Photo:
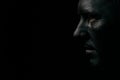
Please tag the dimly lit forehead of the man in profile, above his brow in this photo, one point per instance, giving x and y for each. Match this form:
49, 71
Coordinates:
94, 5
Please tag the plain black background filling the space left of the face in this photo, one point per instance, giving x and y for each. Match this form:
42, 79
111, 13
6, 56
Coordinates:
53, 52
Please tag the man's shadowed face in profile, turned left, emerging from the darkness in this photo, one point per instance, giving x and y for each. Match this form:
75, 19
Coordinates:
97, 28
